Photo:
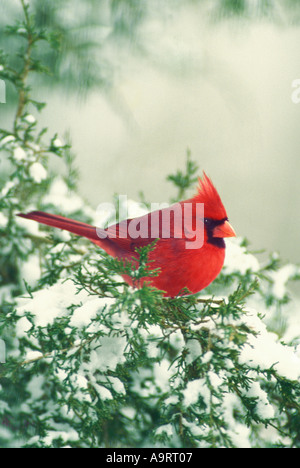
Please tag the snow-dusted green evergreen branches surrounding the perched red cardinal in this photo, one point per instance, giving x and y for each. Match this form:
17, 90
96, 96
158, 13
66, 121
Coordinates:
91, 362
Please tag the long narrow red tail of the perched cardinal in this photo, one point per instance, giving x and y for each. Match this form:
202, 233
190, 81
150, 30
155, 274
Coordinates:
76, 227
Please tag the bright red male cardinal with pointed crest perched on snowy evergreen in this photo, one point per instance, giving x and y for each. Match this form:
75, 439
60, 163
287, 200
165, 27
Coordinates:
189, 249
